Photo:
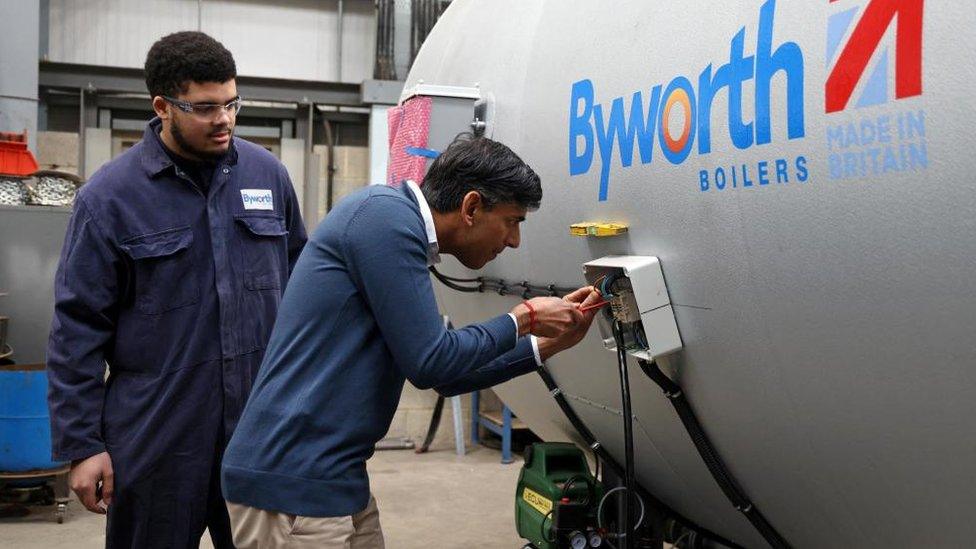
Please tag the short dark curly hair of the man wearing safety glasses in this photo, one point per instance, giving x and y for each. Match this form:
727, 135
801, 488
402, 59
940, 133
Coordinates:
183, 57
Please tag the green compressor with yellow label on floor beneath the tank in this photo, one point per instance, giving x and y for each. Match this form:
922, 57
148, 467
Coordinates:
556, 503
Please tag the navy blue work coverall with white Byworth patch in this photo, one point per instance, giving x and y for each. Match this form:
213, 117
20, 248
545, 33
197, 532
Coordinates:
175, 288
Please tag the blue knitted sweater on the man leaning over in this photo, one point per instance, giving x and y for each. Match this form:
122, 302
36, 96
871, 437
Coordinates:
357, 319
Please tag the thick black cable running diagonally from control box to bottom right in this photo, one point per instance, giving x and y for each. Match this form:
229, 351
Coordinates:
709, 455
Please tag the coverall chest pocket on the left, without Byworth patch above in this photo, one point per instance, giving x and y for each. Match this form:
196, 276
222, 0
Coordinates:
164, 278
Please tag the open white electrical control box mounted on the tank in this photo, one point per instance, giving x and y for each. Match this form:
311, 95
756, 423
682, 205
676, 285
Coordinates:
639, 301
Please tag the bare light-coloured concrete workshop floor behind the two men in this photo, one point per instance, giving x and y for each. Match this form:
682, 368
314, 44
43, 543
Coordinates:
430, 500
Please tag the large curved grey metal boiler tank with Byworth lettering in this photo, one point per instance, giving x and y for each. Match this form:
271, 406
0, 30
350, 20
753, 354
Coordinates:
810, 195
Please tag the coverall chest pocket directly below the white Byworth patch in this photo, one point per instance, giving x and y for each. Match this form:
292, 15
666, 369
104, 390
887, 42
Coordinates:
264, 250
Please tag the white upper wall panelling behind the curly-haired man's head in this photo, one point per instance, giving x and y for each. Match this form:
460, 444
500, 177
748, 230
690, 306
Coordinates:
286, 39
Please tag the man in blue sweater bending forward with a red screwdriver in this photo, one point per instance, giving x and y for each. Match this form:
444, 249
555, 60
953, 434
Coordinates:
358, 318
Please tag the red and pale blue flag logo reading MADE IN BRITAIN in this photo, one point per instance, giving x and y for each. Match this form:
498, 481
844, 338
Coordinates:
888, 137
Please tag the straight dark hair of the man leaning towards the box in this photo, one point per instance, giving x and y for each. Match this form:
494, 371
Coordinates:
483, 165
